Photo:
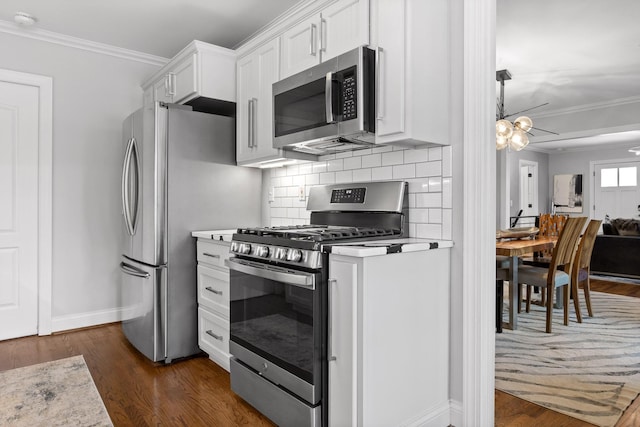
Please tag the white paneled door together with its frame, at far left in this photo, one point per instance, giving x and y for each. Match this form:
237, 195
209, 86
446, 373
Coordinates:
25, 204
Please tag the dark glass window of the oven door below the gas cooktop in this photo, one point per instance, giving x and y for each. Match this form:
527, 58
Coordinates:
279, 322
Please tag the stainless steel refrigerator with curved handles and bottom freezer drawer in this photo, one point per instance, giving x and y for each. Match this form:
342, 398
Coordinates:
179, 175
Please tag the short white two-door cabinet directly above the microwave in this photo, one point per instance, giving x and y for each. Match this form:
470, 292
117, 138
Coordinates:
338, 28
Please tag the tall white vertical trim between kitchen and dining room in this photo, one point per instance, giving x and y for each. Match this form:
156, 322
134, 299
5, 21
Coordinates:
479, 214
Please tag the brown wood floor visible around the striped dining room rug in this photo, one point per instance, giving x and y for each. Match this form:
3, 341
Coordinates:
514, 412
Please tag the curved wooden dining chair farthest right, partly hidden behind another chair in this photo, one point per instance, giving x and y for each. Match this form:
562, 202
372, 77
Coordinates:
581, 267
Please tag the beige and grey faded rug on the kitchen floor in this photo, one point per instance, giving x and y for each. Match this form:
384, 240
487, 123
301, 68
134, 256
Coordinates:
58, 393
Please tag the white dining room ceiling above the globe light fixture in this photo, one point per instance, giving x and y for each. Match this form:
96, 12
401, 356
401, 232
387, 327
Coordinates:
569, 53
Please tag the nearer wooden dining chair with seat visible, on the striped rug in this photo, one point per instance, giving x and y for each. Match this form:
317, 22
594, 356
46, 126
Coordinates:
552, 277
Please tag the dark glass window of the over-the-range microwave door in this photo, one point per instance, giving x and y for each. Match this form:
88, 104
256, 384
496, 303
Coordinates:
300, 109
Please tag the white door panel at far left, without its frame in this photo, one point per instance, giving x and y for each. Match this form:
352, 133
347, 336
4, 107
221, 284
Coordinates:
18, 210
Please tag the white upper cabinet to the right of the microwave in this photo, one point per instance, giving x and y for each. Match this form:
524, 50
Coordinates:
414, 67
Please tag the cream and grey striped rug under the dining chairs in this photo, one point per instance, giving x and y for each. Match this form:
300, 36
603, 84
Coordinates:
590, 371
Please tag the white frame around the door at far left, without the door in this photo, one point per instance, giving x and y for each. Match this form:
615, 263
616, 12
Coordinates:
44, 85
